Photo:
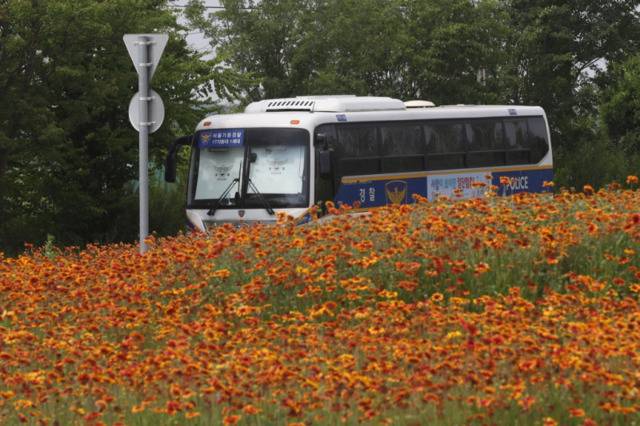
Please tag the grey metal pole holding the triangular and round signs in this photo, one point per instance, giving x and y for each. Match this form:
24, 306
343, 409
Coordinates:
143, 142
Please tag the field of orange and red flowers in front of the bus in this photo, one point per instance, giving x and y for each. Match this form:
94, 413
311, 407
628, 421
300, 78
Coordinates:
502, 310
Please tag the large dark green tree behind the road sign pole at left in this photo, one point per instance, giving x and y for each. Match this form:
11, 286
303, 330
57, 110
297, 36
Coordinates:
67, 150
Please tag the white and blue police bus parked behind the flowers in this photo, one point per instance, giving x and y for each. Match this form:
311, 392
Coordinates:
287, 155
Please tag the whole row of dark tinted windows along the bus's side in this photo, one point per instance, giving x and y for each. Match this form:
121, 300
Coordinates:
396, 147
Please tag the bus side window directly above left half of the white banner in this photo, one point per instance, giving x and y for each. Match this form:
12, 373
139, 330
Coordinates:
445, 145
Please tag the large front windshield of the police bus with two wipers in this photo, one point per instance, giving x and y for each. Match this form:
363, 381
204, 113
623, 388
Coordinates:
241, 168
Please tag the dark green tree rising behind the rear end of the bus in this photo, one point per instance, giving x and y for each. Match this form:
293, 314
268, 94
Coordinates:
557, 48
